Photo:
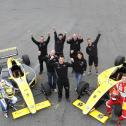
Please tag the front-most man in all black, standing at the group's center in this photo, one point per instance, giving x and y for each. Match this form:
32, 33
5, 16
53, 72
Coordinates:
62, 77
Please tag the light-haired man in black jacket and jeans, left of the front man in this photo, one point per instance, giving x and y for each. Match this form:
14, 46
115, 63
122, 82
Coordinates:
52, 79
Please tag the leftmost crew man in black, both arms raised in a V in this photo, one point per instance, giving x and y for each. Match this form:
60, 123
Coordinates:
42, 47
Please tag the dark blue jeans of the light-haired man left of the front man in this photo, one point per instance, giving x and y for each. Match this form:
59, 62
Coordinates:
52, 79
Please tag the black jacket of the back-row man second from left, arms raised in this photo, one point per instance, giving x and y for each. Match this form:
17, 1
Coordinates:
59, 44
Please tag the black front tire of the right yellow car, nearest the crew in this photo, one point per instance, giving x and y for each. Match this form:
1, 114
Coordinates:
83, 86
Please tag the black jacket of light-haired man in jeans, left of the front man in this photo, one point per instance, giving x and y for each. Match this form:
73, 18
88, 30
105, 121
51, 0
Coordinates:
49, 65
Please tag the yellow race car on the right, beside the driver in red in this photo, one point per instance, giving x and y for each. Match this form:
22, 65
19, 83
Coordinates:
106, 80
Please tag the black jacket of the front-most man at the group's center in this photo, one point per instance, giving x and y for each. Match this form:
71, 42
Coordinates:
62, 70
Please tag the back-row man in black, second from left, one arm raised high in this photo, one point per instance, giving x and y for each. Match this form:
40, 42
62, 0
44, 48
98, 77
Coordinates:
59, 42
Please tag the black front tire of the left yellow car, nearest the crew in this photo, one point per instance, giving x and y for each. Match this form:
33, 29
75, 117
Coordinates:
45, 88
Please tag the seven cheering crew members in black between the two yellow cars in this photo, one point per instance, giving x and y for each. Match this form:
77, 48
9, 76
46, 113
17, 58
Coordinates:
57, 68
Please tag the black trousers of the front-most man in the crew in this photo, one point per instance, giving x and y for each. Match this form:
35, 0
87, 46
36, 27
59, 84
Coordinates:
61, 83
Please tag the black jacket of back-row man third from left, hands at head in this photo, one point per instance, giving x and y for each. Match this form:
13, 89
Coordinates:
75, 45
